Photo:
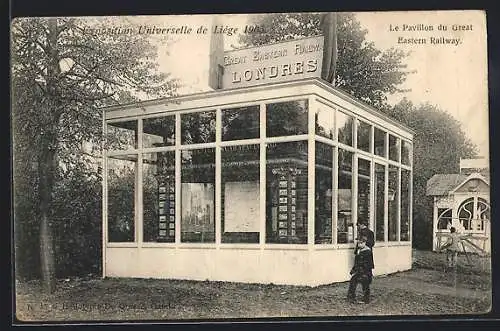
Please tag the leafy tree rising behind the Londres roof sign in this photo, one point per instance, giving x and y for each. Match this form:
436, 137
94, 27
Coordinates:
362, 70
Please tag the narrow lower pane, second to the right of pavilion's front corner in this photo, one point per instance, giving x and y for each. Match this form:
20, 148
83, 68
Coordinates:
345, 226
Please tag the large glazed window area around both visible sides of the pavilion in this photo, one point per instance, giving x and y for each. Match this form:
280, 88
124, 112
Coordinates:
231, 165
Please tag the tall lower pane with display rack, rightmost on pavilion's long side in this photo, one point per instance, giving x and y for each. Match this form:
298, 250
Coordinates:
286, 192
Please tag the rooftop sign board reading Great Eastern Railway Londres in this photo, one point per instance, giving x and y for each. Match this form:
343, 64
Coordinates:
284, 61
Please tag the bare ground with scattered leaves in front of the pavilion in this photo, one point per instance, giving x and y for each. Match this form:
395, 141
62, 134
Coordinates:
427, 289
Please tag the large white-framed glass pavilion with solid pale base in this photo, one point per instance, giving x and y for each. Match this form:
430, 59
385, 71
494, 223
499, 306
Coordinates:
258, 184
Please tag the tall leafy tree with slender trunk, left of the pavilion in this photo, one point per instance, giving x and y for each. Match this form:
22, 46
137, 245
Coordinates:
62, 73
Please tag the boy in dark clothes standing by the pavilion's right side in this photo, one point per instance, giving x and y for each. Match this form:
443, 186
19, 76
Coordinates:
361, 272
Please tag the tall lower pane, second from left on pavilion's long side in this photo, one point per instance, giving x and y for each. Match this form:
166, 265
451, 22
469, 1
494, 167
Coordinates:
159, 197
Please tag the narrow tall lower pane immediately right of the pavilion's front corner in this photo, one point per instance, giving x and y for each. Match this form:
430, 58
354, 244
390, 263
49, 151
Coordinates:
323, 200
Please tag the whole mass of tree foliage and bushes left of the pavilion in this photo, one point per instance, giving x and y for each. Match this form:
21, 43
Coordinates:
63, 72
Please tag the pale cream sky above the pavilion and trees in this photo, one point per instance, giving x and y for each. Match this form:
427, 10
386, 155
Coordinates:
452, 77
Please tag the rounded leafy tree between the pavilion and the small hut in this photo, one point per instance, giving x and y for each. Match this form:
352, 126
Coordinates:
439, 143
